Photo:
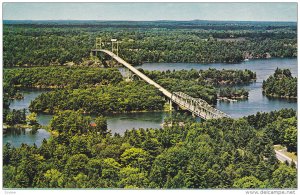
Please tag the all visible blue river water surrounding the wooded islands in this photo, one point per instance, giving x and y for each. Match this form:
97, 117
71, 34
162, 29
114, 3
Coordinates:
118, 123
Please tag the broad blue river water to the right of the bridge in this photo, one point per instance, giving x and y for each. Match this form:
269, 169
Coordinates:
256, 102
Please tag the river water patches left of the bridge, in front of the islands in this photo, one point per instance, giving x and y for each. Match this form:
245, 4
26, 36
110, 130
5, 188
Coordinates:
117, 123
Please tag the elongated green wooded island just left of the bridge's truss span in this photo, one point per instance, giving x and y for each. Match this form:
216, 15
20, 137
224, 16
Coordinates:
122, 97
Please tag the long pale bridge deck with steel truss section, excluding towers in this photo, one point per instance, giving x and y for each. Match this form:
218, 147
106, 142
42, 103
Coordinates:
197, 106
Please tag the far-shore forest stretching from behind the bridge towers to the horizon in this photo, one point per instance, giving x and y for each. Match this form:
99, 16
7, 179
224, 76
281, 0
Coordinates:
43, 43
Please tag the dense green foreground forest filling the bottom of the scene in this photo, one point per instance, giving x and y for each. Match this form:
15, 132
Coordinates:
221, 153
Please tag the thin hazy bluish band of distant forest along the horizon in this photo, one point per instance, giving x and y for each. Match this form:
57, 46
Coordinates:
196, 24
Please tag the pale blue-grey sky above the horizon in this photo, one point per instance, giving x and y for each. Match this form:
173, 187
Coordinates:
151, 11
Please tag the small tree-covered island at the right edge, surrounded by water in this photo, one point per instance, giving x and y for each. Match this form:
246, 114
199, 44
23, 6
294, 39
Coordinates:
281, 84
